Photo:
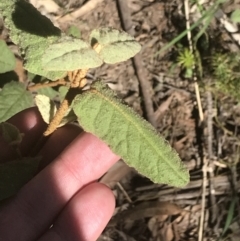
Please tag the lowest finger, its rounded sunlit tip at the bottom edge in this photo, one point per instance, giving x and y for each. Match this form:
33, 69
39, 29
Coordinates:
85, 216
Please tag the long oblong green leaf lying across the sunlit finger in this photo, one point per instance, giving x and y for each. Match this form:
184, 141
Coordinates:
129, 136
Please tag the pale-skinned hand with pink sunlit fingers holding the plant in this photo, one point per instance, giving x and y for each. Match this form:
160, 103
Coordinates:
65, 192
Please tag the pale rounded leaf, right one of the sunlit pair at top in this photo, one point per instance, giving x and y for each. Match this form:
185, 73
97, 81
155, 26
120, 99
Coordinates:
115, 46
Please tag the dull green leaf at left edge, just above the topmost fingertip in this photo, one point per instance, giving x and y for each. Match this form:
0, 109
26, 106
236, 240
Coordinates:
14, 98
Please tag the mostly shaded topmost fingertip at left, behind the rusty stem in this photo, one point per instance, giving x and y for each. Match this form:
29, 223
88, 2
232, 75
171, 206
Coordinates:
31, 124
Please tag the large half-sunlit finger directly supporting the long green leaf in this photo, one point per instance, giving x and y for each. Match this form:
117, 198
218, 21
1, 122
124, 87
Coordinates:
37, 204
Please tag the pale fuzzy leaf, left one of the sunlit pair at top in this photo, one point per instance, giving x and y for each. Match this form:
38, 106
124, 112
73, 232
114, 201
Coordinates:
70, 54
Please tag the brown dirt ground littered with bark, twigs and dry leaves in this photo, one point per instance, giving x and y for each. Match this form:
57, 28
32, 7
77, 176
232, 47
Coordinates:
202, 124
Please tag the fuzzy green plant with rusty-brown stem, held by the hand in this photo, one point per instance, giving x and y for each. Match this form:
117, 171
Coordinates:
64, 61
